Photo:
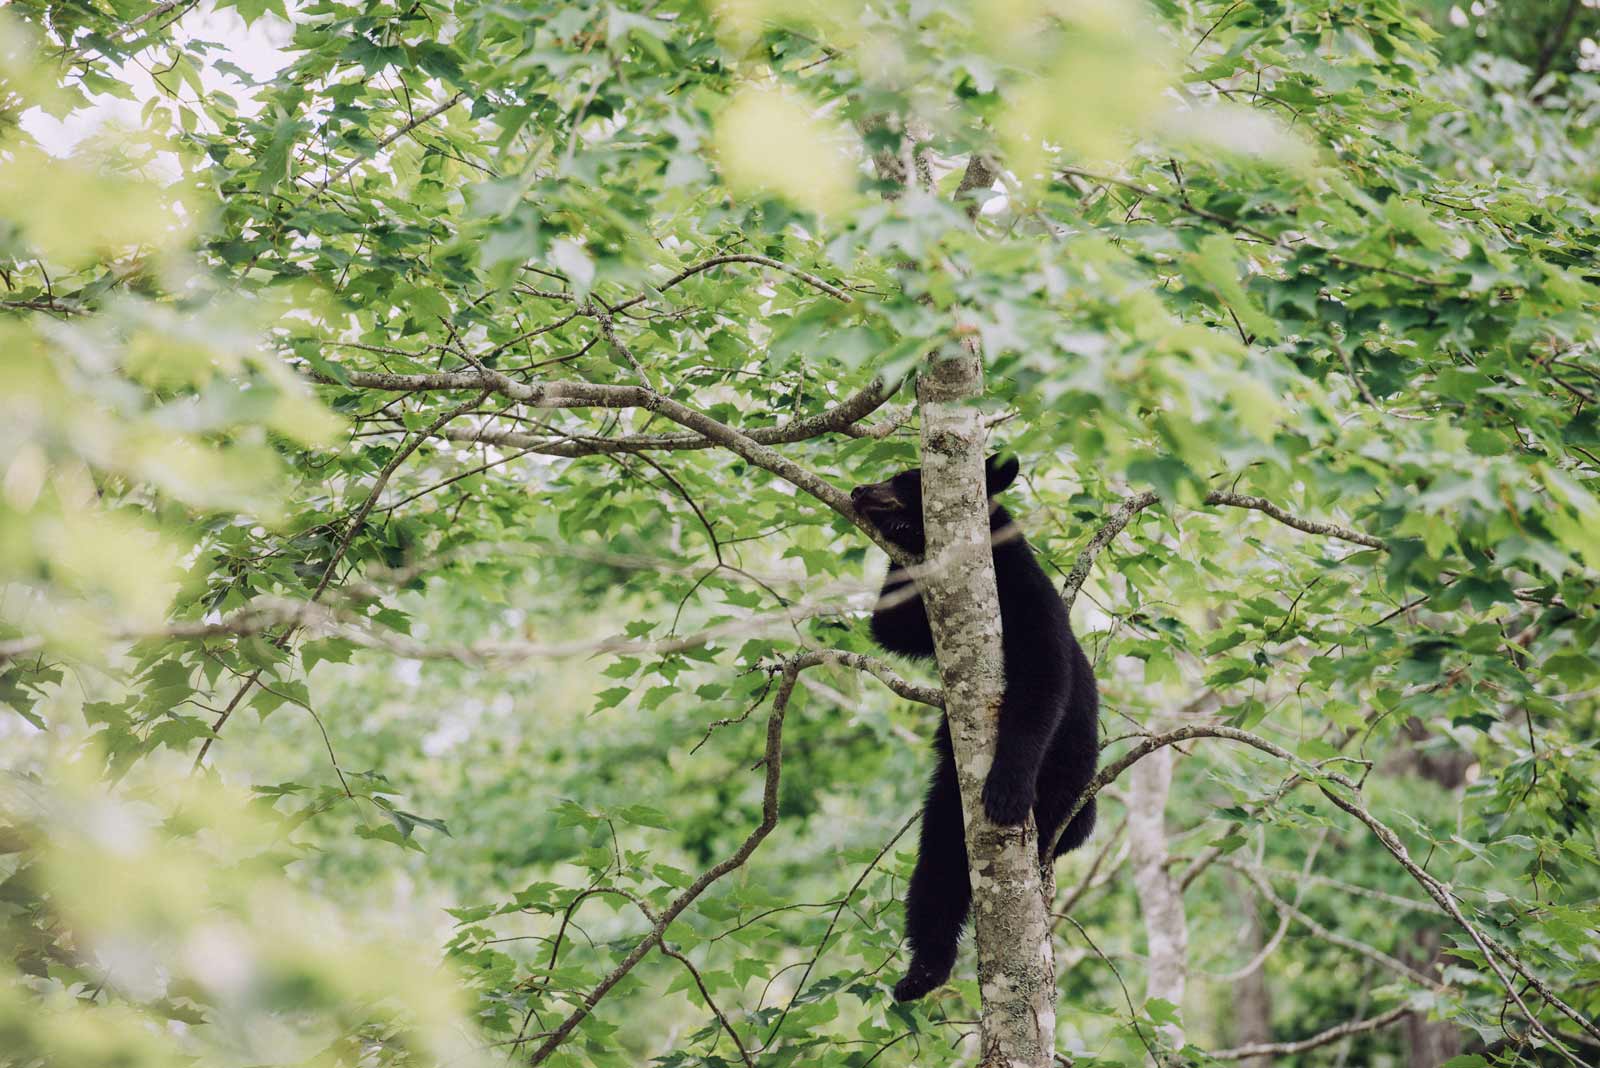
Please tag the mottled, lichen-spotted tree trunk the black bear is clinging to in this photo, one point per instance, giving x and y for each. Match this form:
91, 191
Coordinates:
1017, 970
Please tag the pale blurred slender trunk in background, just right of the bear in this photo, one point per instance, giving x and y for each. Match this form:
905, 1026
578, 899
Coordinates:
1161, 898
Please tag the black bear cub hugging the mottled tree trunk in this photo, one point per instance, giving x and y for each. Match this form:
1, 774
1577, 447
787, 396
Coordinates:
1049, 719
